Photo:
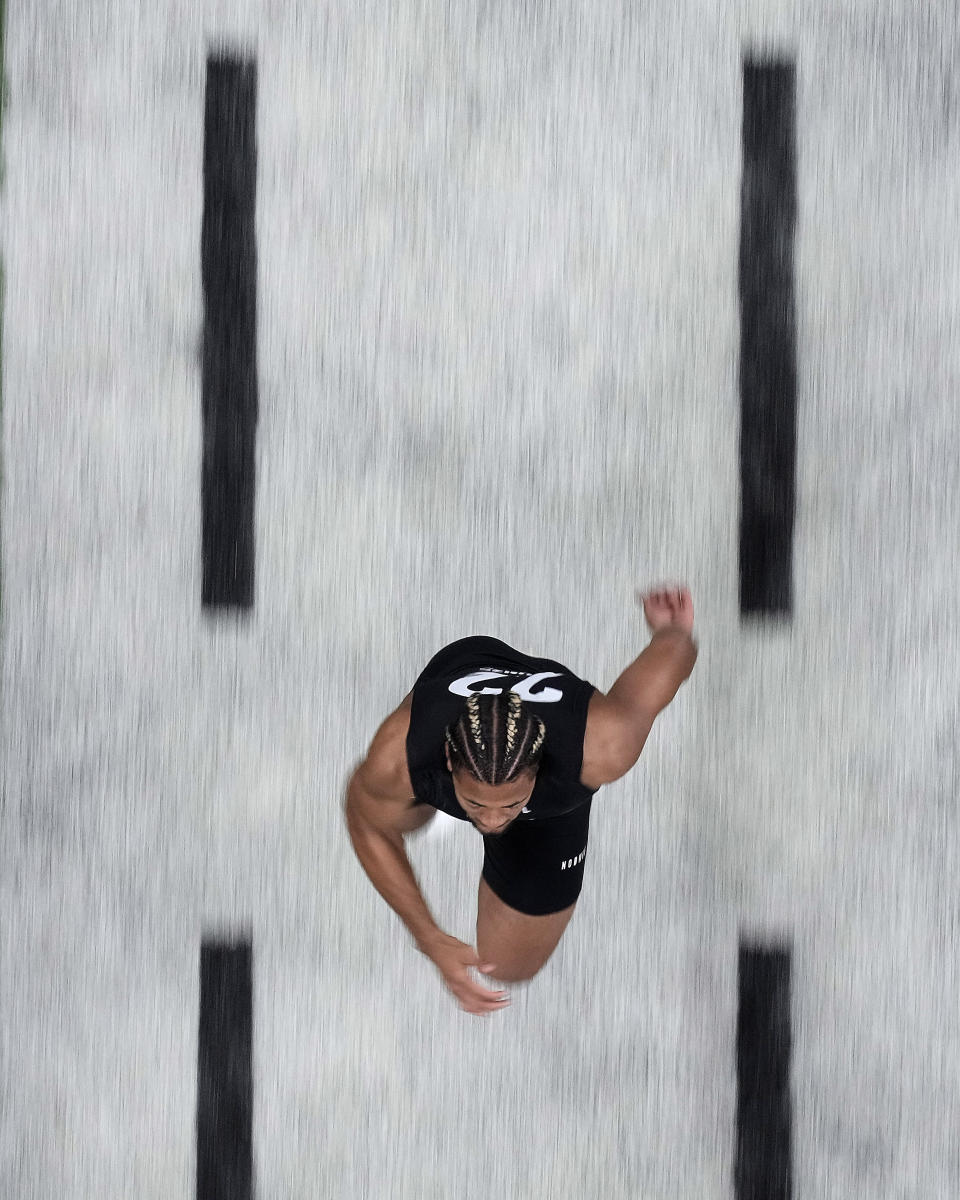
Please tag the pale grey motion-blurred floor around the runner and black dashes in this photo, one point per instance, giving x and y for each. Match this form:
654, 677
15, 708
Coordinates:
499, 392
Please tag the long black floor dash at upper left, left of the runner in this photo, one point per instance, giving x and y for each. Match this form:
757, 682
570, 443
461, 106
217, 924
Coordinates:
229, 253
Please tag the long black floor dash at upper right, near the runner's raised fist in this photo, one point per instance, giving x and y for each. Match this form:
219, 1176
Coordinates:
769, 339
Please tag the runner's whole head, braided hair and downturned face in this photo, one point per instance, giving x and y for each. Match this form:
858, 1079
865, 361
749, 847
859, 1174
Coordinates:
494, 754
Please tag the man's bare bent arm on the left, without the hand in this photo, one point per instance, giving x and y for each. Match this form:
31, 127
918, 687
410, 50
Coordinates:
377, 818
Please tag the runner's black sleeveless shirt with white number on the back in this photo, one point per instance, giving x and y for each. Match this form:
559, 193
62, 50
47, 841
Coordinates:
487, 665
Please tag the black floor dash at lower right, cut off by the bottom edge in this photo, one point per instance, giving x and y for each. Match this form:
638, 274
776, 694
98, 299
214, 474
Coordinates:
763, 1167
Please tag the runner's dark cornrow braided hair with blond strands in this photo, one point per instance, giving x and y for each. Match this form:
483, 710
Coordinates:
496, 740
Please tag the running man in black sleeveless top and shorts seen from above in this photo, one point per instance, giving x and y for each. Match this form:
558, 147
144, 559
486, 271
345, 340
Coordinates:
518, 746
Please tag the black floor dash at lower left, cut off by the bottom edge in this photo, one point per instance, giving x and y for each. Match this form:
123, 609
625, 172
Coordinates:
225, 1087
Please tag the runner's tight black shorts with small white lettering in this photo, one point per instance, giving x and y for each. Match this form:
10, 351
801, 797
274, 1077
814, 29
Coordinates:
537, 867
